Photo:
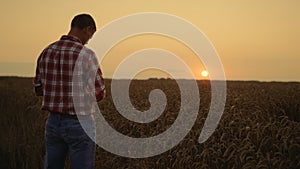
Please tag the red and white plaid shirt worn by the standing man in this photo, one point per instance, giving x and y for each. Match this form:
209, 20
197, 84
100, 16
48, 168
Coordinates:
68, 77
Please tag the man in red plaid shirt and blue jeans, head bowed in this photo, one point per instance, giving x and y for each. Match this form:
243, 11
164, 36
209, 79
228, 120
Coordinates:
54, 81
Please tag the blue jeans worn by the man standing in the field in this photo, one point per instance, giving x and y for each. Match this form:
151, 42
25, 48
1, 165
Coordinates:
64, 134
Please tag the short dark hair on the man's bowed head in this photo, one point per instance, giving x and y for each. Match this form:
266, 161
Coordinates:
82, 21
